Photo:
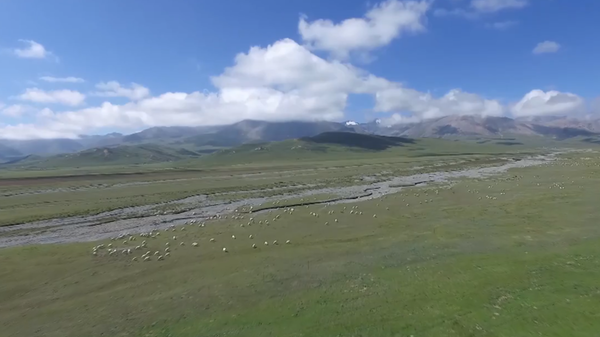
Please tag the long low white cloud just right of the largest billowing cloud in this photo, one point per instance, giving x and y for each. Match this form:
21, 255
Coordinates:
424, 106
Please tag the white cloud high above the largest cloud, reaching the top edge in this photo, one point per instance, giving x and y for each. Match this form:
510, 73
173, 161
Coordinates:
381, 24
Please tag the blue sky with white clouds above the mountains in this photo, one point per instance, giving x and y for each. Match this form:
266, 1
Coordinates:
71, 67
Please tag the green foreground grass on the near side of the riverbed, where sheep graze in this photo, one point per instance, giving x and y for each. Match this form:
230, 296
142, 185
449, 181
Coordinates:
524, 264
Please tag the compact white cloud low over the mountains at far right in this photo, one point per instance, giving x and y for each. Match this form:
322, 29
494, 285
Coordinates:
540, 103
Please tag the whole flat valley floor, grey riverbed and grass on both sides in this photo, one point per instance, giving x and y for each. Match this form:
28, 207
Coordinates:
443, 247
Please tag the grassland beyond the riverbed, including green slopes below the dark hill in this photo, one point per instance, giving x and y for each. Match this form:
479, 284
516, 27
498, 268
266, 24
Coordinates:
33, 195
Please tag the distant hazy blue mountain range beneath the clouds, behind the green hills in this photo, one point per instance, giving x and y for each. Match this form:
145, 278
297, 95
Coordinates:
207, 139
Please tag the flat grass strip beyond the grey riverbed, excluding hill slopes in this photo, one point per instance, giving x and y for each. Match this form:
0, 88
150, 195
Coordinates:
26, 198
